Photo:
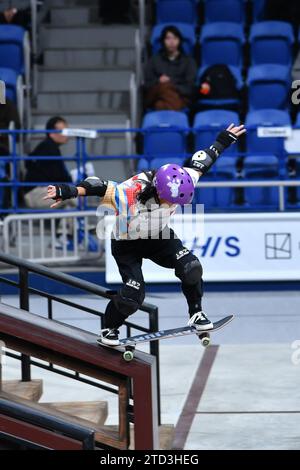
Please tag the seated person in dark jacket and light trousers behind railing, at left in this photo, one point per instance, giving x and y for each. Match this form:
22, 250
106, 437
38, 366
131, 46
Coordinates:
48, 171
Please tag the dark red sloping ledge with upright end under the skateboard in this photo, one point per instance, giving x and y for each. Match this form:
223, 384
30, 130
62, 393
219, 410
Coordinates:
77, 350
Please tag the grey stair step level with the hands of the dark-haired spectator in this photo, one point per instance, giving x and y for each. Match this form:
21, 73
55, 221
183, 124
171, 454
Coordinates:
70, 81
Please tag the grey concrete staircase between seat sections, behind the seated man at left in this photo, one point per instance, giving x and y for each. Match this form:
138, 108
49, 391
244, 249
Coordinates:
85, 76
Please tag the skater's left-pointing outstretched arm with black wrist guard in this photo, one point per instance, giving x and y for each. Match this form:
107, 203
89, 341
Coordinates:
91, 186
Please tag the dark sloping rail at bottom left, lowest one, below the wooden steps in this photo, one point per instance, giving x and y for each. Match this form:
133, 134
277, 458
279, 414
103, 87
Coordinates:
41, 419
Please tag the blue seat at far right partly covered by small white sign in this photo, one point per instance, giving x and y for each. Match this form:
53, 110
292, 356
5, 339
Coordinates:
266, 118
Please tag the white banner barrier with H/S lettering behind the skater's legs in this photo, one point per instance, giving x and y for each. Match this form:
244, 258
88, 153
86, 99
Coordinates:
231, 247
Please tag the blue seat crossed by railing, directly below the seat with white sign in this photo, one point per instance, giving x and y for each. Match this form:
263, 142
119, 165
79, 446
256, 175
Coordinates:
261, 168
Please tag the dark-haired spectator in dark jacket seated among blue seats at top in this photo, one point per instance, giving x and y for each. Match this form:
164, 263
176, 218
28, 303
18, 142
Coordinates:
170, 75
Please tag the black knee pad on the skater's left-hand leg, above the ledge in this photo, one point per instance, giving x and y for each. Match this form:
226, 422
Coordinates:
129, 298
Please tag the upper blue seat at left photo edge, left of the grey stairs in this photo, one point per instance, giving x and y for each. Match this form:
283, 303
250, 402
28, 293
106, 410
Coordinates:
12, 47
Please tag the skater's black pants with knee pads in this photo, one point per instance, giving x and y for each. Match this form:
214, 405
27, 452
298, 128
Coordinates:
169, 253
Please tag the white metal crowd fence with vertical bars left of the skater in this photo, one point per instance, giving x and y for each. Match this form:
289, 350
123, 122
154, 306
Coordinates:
33, 236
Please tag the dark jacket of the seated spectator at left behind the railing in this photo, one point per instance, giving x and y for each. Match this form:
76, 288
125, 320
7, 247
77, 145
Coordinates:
46, 171
